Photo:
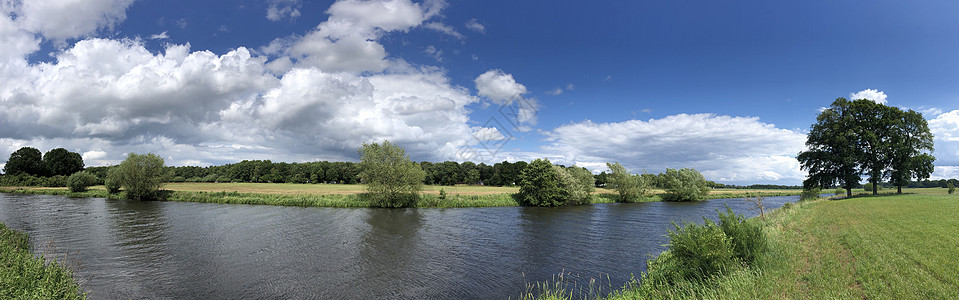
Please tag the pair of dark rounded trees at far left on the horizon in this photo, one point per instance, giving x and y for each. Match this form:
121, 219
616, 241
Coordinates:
56, 162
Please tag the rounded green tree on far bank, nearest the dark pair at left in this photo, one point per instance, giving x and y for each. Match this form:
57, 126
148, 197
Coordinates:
142, 176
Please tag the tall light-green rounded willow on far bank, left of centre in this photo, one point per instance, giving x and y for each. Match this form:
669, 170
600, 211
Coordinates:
392, 179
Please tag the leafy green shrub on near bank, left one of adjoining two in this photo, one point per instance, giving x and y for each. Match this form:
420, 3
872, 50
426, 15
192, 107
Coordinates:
699, 251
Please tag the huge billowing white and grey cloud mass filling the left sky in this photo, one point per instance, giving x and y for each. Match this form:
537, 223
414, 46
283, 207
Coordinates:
316, 96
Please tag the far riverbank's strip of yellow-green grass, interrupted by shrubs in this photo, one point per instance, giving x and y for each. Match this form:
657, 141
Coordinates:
334, 195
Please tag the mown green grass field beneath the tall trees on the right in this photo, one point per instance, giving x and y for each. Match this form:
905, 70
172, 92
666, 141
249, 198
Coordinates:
887, 247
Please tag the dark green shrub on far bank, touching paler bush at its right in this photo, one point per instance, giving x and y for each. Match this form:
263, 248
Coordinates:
542, 185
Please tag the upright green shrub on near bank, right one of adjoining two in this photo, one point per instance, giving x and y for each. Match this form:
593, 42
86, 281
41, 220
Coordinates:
748, 238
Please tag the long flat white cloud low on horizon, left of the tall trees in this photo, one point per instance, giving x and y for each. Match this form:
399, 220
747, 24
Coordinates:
724, 148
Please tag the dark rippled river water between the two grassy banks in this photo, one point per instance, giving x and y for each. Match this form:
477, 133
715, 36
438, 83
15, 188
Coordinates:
179, 250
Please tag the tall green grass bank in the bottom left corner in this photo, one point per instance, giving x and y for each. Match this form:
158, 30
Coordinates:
25, 276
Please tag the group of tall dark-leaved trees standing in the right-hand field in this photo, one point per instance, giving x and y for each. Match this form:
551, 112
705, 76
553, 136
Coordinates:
861, 137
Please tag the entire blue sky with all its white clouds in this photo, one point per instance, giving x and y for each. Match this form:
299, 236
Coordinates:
729, 88
